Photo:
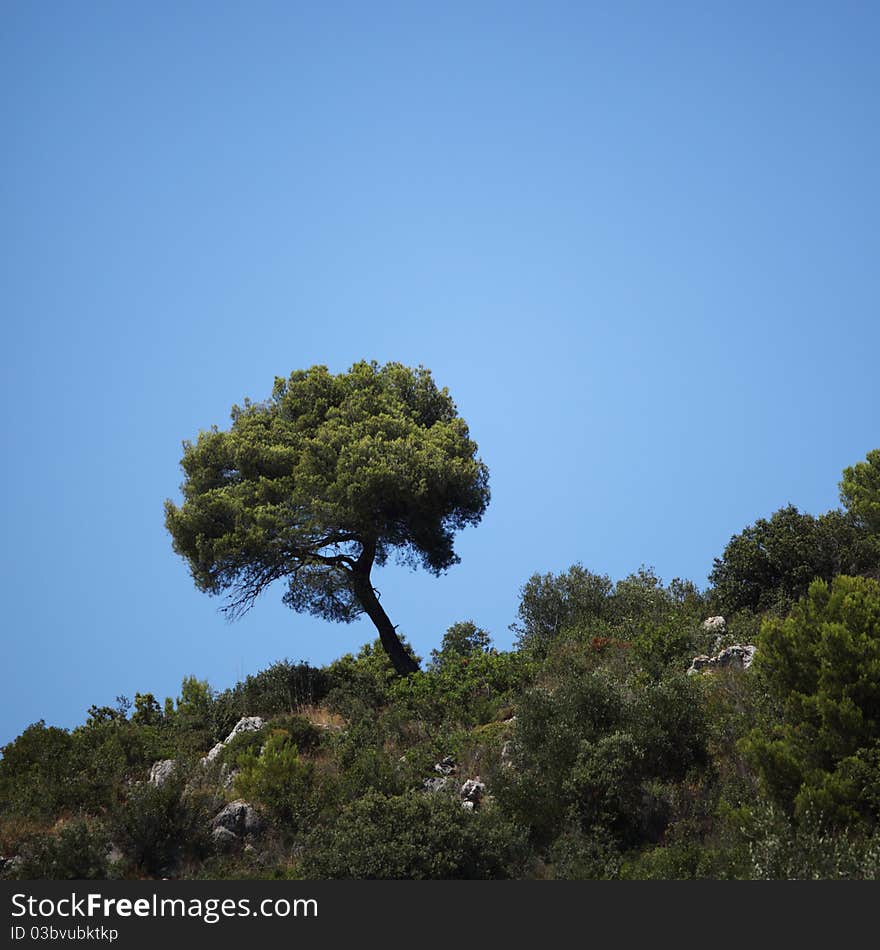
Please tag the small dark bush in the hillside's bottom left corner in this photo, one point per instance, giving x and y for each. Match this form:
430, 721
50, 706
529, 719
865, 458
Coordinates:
78, 852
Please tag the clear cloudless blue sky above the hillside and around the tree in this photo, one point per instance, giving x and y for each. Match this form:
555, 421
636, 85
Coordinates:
637, 241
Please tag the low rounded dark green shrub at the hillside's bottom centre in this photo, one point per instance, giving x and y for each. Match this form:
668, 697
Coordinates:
415, 836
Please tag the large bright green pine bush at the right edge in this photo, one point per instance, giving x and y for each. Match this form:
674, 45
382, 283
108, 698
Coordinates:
822, 664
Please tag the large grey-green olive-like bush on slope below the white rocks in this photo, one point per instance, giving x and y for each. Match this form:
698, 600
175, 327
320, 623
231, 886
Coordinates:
593, 752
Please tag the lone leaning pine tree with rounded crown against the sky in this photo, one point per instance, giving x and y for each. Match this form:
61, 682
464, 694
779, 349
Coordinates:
323, 481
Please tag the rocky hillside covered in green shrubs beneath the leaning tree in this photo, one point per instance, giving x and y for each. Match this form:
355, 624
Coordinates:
587, 751
